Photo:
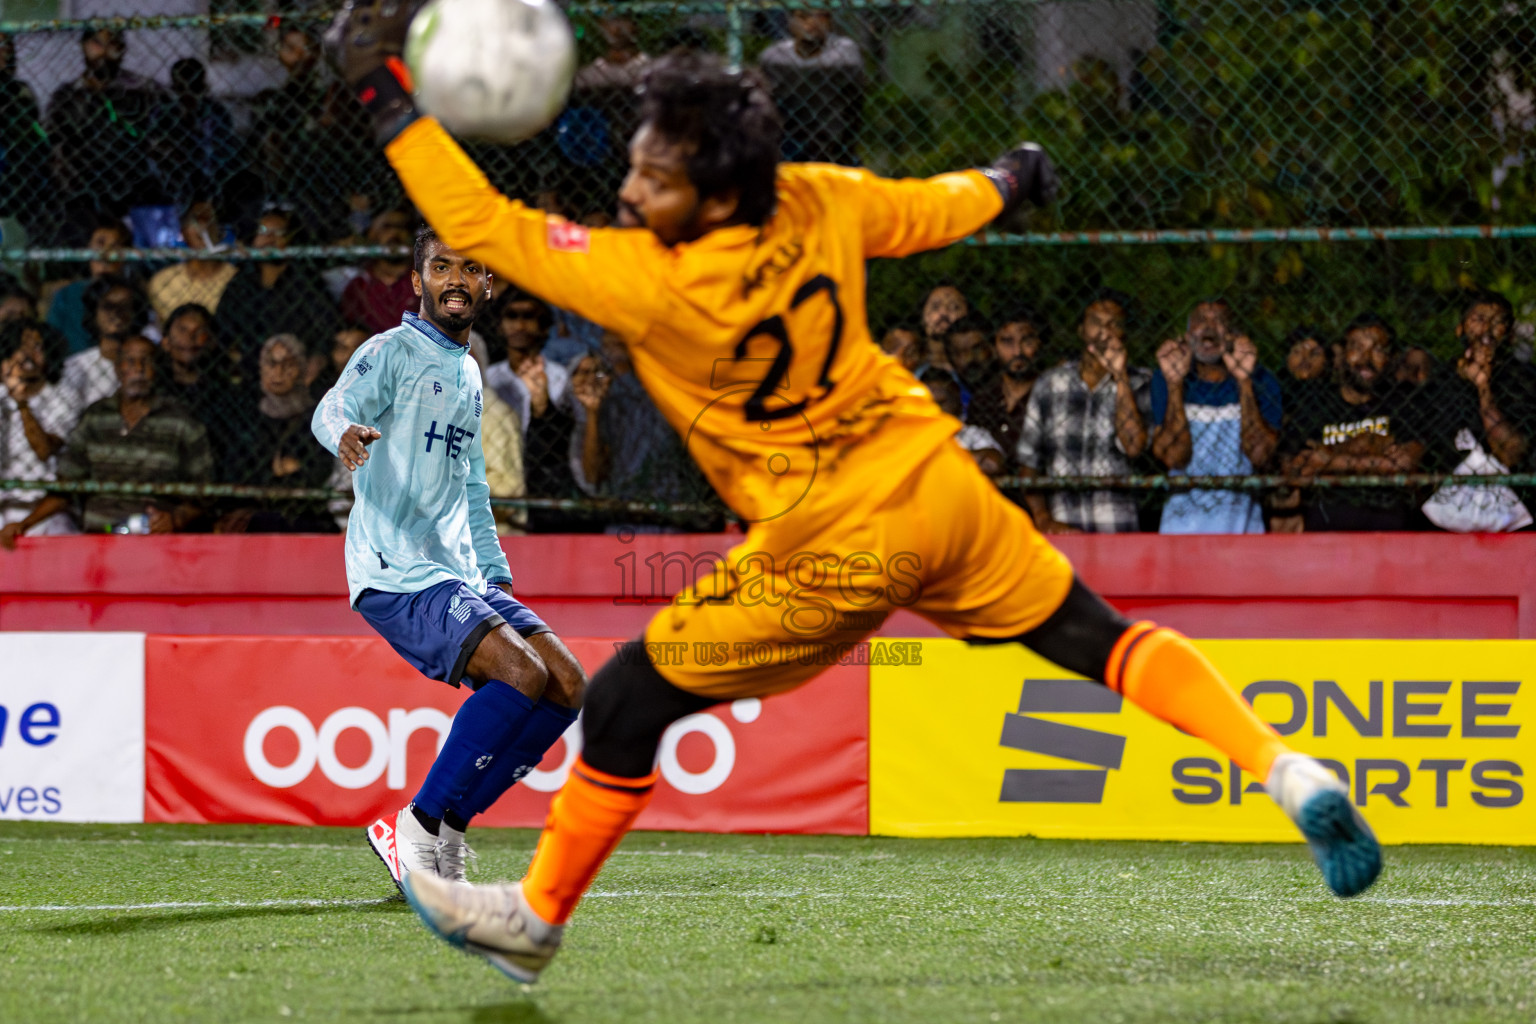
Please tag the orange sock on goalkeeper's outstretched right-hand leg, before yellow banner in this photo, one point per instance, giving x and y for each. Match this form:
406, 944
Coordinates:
1162, 673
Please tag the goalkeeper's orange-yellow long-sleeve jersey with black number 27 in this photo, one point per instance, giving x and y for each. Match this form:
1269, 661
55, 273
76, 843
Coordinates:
752, 340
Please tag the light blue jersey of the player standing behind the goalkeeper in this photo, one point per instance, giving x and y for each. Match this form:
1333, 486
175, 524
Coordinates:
423, 506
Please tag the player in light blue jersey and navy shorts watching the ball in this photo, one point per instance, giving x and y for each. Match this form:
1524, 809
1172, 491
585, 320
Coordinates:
425, 567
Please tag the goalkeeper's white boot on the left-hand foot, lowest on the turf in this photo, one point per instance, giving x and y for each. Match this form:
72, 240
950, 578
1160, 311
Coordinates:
492, 922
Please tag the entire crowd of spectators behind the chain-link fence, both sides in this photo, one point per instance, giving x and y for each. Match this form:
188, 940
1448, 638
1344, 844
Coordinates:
207, 371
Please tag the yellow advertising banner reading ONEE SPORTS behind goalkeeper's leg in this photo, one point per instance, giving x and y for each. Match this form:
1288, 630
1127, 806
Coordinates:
1432, 739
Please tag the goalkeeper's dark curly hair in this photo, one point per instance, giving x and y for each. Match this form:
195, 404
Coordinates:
727, 119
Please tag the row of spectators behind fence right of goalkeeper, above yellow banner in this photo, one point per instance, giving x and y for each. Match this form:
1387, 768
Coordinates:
1360, 406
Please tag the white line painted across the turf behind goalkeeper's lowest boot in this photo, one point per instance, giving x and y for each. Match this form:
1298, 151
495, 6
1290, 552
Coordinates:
784, 894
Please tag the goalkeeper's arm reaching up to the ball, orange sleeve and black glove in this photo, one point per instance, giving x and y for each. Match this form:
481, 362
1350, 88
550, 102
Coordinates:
607, 277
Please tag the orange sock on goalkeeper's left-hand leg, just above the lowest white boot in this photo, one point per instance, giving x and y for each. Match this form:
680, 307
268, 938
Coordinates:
588, 819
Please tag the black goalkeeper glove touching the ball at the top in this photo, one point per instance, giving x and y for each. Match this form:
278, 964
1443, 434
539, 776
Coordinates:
365, 44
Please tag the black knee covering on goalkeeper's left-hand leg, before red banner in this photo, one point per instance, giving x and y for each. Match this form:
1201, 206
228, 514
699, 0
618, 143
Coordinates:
629, 707
